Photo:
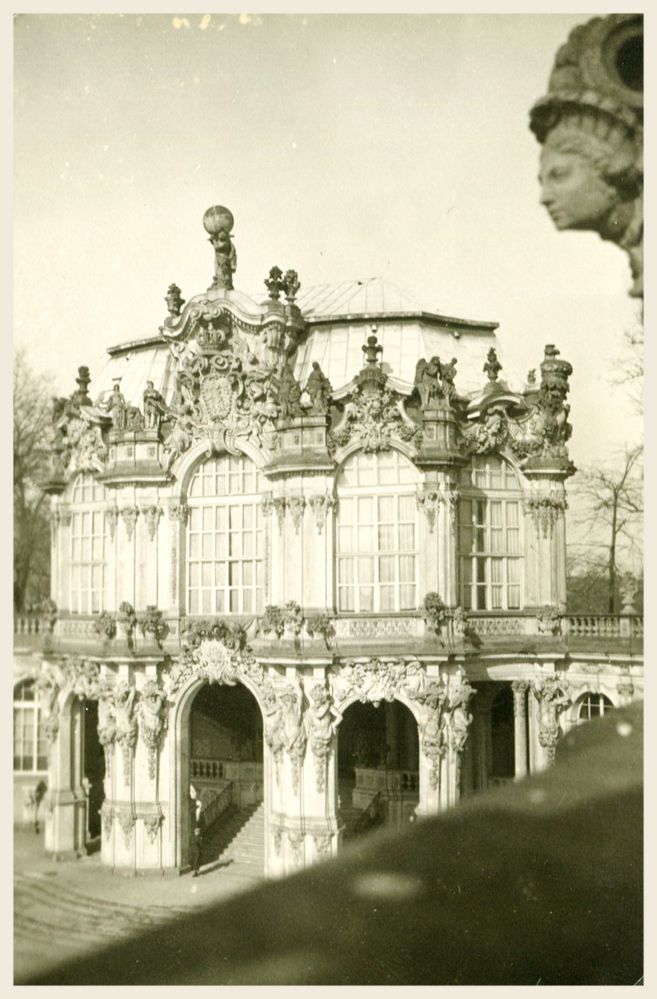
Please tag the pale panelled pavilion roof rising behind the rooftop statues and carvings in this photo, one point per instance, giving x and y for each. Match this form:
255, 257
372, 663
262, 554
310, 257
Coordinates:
339, 317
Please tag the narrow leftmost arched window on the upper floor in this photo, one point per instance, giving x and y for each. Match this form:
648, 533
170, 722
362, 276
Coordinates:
88, 545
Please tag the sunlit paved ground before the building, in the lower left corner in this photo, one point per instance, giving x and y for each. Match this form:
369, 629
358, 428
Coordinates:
66, 909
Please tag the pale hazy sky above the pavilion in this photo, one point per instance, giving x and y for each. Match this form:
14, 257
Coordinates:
346, 146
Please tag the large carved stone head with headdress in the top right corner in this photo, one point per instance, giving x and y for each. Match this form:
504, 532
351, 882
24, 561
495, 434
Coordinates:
590, 125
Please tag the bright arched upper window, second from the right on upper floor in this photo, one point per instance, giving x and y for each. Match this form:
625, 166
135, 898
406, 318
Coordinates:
377, 546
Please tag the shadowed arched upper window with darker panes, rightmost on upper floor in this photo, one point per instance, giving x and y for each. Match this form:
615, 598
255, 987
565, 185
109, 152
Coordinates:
490, 543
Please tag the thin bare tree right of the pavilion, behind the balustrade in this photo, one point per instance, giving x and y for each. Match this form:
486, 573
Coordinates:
611, 501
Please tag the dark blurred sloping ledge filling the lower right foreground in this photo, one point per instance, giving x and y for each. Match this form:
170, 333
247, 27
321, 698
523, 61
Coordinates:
538, 883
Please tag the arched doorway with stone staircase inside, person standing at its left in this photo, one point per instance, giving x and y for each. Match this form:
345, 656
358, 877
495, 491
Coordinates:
225, 767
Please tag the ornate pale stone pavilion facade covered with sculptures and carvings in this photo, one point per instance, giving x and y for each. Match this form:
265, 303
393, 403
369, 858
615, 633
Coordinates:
449, 591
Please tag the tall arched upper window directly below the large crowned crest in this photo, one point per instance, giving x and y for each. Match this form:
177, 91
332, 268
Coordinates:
225, 545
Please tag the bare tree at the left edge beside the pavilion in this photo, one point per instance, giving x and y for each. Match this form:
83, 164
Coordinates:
32, 418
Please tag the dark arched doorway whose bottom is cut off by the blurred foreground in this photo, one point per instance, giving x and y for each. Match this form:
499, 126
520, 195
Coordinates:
378, 767
